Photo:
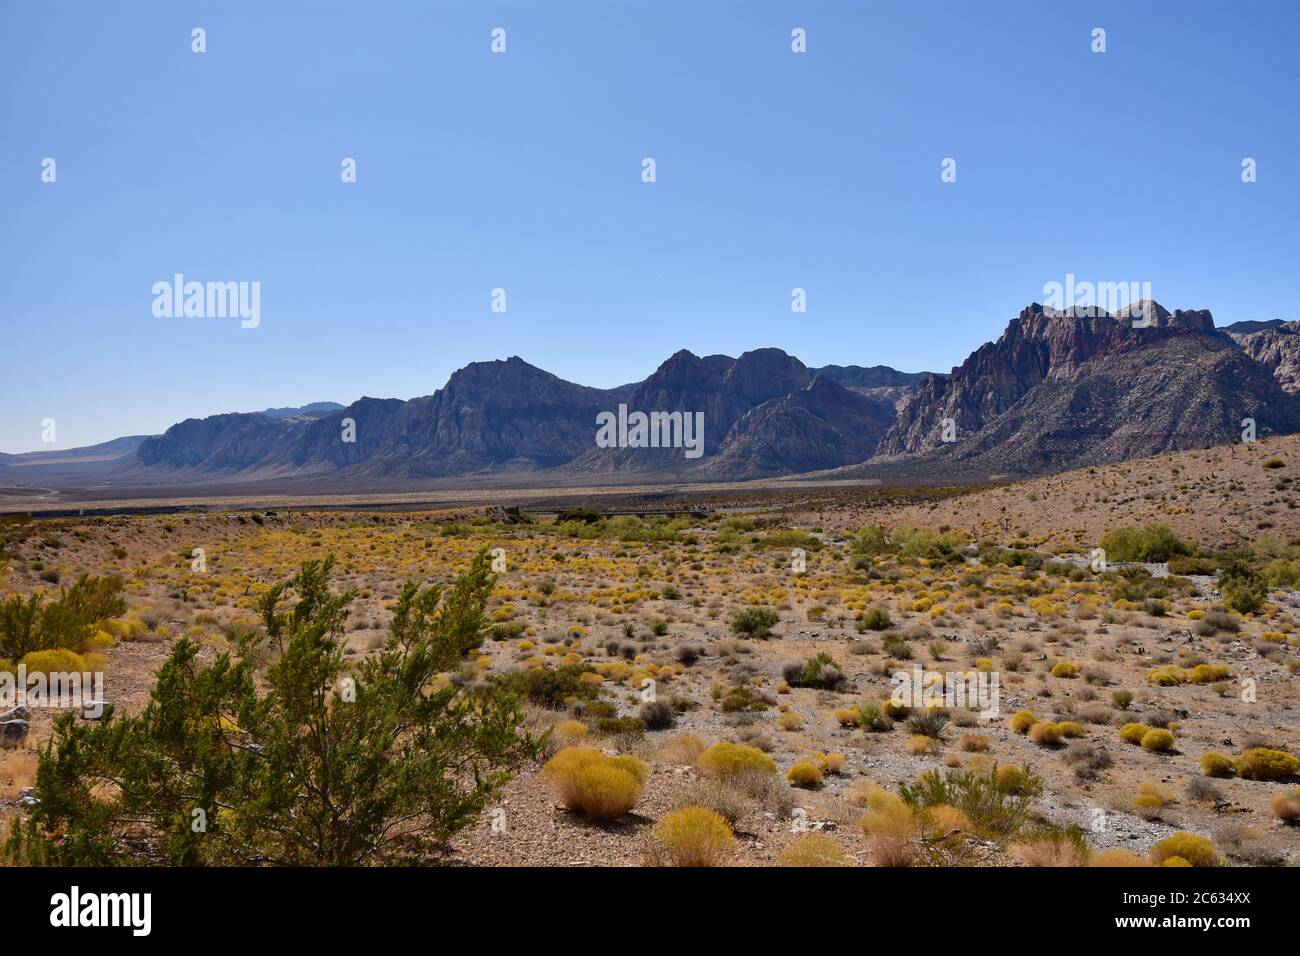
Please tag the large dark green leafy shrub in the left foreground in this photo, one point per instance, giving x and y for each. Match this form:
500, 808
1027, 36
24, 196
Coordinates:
288, 773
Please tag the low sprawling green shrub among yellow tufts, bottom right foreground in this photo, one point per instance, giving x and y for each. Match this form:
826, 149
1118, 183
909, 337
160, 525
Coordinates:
994, 808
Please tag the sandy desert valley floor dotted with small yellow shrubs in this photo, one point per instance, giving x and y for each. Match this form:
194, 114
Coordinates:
996, 581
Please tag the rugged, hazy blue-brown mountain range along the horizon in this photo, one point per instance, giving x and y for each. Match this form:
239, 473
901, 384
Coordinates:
1059, 390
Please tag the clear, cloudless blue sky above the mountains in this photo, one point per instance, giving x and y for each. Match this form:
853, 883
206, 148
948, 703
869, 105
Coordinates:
523, 171
